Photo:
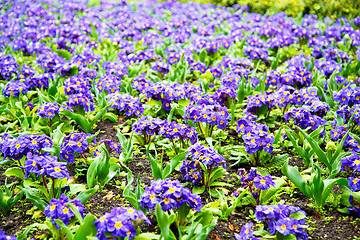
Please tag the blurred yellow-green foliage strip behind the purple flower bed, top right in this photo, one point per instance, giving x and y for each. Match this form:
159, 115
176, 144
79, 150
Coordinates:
322, 8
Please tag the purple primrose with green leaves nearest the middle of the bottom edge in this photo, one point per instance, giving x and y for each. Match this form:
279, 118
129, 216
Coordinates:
173, 203
